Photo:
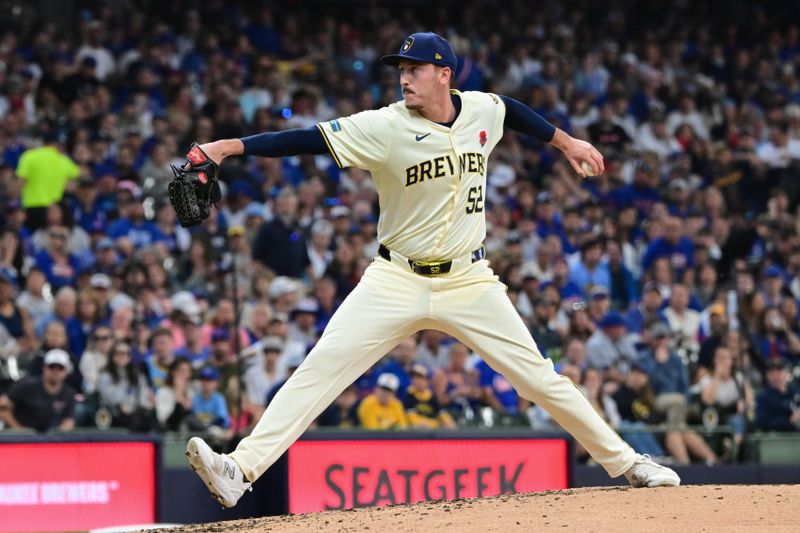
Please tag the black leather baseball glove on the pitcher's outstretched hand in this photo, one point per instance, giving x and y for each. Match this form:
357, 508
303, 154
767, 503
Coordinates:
195, 188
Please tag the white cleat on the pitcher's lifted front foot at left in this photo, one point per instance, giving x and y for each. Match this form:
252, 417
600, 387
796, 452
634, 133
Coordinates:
222, 476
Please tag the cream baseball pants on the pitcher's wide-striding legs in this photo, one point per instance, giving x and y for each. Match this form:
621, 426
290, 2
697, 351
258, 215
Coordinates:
391, 303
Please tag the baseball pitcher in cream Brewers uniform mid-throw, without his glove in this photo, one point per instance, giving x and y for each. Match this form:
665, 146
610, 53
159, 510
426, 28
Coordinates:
428, 156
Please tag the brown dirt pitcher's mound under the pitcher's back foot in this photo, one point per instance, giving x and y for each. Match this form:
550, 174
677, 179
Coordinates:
726, 508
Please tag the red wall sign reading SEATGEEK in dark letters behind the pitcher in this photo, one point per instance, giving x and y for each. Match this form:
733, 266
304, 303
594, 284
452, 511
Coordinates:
345, 474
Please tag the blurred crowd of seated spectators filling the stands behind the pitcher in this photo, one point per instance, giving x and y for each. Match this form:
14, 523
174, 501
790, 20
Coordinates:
667, 287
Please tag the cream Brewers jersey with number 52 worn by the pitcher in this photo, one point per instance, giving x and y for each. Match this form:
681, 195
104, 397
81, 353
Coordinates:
431, 179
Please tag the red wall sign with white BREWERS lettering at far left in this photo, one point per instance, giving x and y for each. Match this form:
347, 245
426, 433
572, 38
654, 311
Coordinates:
76, 486
